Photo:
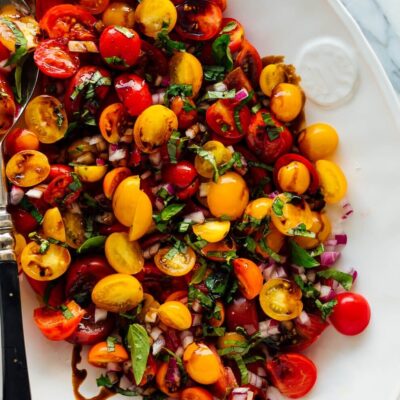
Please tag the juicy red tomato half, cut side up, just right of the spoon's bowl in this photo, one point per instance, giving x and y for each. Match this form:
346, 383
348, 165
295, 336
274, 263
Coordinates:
54, 59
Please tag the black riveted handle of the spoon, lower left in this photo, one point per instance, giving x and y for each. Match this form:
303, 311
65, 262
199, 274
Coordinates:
15, 370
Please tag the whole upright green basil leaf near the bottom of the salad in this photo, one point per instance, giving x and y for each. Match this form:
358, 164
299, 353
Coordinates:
139, 344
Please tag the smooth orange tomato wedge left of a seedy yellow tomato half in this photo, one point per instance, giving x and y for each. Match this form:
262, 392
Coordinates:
249, 276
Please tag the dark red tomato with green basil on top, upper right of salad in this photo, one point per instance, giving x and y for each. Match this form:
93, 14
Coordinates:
268, 138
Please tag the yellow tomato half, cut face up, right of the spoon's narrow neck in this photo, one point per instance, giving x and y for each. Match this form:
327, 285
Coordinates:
45, 116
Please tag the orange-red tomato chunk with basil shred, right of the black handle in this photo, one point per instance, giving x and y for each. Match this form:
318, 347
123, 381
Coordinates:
57, 324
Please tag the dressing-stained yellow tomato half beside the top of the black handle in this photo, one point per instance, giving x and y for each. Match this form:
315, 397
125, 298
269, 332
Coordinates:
47, 264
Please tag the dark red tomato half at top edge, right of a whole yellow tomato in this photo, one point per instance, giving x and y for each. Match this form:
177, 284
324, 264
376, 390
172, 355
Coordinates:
198, 20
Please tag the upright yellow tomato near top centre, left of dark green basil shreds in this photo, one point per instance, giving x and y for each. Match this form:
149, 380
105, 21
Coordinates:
185, 68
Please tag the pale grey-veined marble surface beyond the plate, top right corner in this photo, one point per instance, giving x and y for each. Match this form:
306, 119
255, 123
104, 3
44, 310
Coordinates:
380, 22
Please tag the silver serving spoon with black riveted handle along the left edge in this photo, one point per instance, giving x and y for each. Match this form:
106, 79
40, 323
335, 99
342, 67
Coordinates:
15, 371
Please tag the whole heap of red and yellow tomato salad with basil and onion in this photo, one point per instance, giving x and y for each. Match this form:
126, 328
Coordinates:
170, 204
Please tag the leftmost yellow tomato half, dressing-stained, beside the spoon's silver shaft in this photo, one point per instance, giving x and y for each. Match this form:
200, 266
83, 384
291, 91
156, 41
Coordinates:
28, 168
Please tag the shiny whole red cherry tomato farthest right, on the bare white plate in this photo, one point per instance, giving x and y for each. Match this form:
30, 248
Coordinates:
351, 314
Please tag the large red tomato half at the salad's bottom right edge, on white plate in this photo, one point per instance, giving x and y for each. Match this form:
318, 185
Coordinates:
293, 374
